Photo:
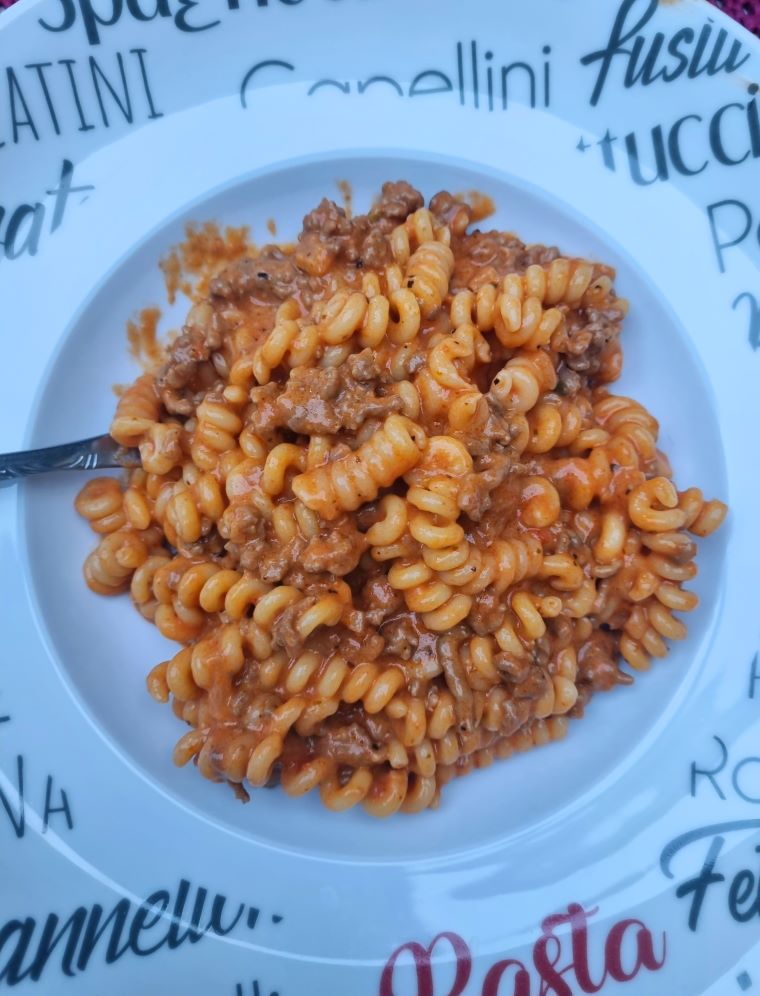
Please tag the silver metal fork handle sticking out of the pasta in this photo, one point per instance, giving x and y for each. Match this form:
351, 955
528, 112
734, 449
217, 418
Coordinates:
88, 454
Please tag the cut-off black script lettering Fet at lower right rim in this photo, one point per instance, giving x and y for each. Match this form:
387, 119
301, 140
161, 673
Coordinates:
743, 893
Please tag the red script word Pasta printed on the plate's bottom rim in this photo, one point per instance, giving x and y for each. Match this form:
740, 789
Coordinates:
561, 963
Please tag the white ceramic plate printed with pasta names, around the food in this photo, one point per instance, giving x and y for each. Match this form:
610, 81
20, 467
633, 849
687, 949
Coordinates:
626, 855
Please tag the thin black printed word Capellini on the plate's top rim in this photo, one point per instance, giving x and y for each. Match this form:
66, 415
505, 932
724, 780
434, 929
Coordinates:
472, 76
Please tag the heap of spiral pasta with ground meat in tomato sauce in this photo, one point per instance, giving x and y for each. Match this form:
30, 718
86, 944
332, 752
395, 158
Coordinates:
390, 511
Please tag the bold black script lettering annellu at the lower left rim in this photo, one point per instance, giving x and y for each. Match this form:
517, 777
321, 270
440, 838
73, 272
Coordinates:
27, 947
